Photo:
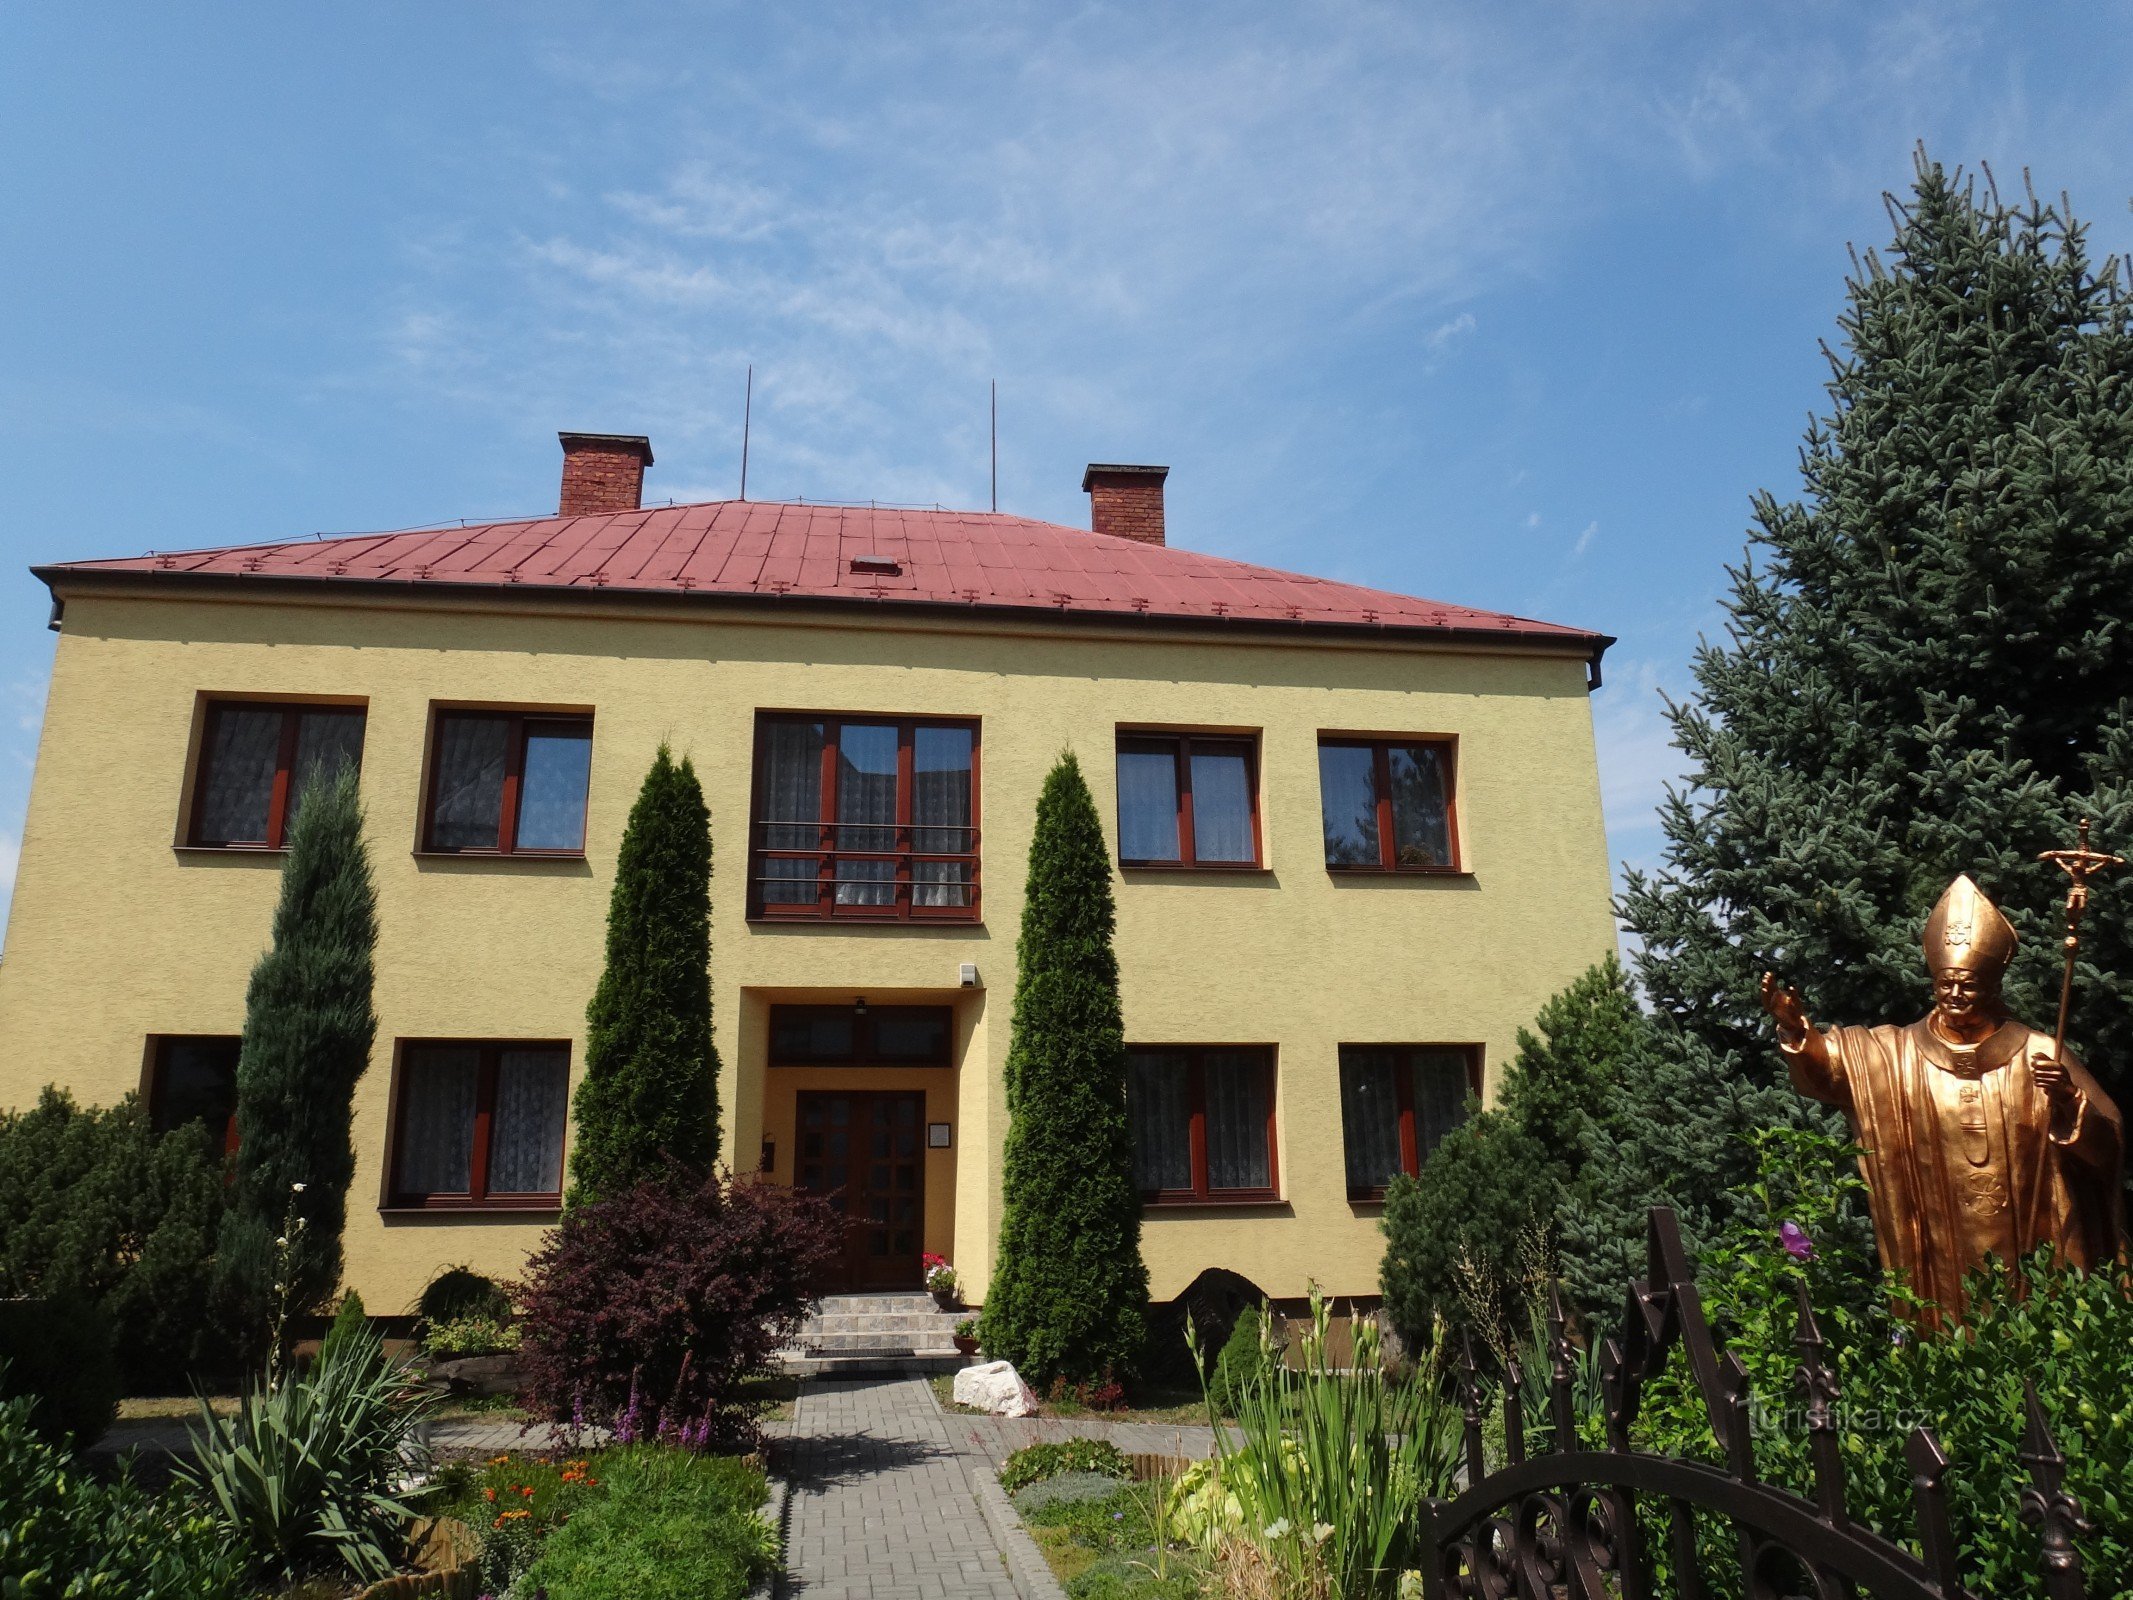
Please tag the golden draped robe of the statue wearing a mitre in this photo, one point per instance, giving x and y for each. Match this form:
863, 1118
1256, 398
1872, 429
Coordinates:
1966, 1155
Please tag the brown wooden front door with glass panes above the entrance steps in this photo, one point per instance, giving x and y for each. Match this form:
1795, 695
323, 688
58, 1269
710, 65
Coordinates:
867, 1155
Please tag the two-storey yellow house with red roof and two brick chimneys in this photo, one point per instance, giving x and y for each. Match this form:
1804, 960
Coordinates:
1358, 846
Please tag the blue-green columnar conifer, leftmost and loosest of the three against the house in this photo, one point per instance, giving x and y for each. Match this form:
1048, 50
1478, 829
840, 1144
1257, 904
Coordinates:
308, 1040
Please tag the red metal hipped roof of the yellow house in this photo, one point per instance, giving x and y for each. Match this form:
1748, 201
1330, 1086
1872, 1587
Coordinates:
767, 549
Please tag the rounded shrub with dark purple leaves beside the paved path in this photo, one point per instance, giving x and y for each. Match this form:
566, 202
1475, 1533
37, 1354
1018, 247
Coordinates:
647, 1311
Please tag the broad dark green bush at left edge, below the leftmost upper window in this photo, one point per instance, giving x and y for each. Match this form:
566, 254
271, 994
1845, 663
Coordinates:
97, 1206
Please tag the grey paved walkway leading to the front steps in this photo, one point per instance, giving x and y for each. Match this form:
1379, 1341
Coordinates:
882, 1499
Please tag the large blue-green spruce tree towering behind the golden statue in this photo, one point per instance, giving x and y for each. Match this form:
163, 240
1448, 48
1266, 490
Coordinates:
1925, 673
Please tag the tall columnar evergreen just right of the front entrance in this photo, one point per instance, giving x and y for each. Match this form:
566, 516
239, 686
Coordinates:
1070, 1290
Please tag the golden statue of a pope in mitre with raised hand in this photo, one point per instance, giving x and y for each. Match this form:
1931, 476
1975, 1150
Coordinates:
1978, 1138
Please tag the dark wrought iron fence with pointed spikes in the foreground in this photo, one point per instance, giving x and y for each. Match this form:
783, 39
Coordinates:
1567, 1522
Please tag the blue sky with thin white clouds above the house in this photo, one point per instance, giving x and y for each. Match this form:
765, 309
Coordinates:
1498, 304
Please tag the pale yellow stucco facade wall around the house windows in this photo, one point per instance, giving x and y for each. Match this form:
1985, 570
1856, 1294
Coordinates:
118, 935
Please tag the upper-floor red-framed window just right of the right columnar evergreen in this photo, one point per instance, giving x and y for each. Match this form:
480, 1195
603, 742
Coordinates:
1187, 801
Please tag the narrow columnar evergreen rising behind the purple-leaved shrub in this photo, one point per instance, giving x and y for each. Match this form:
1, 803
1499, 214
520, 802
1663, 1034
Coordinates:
649, 1100
